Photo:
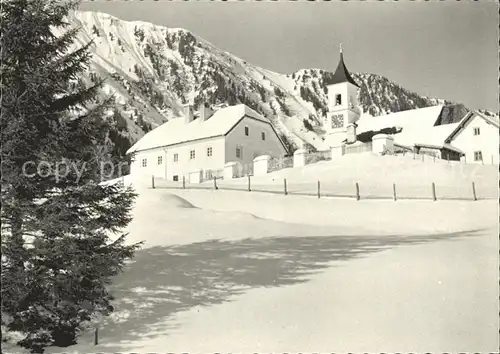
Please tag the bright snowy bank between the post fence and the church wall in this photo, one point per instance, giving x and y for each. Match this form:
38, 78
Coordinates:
375, 176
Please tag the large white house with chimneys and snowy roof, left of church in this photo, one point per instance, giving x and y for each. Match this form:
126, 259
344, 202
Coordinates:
203, 142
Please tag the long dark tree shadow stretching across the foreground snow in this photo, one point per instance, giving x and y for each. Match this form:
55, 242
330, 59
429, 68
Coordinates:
162, 281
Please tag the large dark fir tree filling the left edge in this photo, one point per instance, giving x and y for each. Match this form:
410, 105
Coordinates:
61, 240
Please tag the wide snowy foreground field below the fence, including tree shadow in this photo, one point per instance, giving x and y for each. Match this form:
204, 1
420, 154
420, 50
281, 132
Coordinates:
227, 271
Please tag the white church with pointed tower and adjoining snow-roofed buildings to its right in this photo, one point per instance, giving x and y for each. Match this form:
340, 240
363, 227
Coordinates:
474, 139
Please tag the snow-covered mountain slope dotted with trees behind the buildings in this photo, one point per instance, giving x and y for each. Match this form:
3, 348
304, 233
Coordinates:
152, 71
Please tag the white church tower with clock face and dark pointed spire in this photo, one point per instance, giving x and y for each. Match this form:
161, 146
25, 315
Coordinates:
343, 110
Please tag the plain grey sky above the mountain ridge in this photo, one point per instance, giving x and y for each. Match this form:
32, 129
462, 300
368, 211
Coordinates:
445, 49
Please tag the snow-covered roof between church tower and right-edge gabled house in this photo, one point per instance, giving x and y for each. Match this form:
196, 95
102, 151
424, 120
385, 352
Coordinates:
417, 126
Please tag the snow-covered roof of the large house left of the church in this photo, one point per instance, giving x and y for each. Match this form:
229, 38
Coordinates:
177, 131
